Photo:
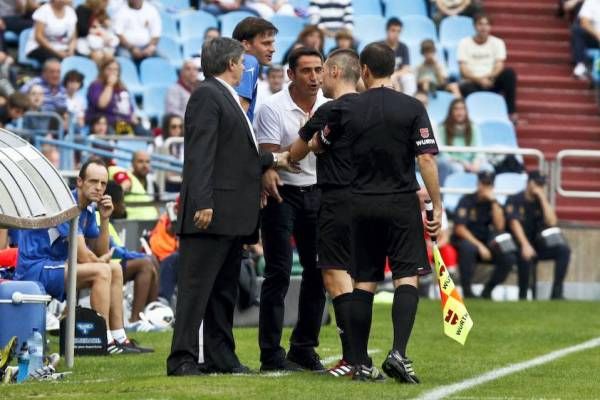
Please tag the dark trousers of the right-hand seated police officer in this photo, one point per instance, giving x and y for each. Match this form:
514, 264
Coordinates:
561, 256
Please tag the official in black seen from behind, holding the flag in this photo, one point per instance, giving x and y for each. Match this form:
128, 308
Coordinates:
386, 131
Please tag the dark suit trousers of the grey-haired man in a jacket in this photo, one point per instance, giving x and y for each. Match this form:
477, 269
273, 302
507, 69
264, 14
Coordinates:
207, 292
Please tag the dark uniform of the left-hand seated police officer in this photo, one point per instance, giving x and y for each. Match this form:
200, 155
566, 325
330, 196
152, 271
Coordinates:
476, 215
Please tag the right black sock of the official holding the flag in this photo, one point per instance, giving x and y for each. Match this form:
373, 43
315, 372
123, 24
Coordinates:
404, 309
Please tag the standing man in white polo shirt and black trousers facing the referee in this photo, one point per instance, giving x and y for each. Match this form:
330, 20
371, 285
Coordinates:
291, 211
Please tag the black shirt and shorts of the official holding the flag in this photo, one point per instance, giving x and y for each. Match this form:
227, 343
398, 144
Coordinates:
386, 131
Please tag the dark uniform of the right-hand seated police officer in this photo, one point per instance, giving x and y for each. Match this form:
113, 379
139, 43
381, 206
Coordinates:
530, 214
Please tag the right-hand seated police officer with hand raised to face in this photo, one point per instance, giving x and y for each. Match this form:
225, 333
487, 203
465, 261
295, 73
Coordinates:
529, 214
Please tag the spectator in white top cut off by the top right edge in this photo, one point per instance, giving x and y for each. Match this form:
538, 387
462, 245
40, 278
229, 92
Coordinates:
585, 35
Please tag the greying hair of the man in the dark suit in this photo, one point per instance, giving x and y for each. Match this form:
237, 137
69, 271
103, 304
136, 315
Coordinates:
218, 53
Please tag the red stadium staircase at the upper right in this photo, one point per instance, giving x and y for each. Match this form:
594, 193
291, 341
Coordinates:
556, 111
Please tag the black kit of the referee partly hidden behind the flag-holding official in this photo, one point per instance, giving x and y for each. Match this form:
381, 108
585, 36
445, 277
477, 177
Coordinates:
334, 175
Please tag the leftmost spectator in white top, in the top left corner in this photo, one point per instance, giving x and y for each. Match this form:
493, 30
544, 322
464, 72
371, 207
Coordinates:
54, 32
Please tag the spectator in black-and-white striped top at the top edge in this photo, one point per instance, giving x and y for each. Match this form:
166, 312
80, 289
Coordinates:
331, 15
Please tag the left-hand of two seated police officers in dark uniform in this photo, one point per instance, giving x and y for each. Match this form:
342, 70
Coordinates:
479, 218
